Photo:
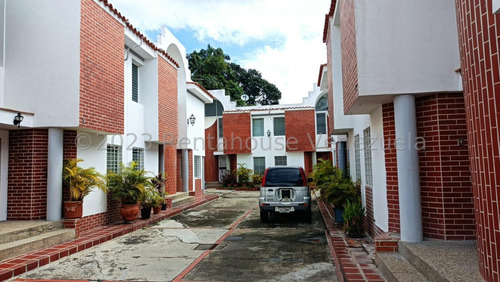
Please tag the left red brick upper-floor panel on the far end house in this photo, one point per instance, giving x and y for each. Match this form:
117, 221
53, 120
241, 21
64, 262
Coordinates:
237, 133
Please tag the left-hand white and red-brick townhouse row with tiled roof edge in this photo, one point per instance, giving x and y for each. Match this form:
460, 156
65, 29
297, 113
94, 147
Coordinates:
87, 84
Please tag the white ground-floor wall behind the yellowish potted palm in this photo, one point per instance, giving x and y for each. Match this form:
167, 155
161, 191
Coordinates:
92, 149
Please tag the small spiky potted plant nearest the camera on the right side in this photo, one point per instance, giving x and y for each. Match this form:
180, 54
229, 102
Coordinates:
354, 214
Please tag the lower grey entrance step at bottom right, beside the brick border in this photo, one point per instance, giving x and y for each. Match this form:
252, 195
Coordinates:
396, 268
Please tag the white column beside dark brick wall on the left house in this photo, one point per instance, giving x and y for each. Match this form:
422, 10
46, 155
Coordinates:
54, 174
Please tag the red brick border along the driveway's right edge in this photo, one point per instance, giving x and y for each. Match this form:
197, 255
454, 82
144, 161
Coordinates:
351, 260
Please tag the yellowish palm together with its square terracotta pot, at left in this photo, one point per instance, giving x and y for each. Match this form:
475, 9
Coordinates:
80, 181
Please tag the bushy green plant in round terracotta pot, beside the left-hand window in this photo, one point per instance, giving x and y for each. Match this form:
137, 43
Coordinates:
127, 186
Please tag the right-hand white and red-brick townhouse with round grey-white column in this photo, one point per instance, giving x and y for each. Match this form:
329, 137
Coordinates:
413, 90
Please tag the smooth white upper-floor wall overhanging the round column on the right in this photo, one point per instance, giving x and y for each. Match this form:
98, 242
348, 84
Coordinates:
411, 47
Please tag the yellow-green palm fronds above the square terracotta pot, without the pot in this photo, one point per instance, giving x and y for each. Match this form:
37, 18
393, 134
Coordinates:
81, 181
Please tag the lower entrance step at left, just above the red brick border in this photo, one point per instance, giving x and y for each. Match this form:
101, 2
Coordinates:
35, 242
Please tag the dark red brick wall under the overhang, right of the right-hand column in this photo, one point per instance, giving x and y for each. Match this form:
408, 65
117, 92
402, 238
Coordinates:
447, 200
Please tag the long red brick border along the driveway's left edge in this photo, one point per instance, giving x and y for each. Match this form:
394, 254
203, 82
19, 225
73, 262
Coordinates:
12, 267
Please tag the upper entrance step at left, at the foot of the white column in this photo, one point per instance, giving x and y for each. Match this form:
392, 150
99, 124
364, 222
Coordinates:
17, 230
